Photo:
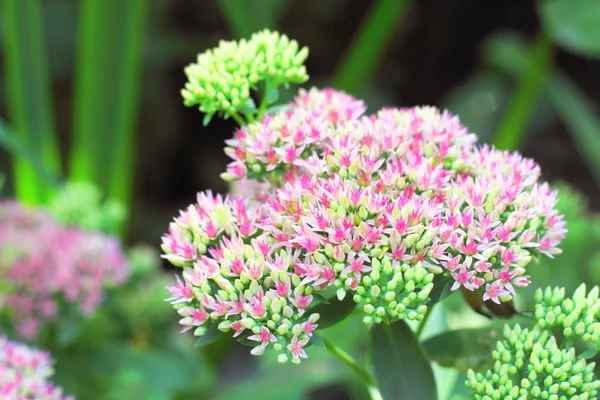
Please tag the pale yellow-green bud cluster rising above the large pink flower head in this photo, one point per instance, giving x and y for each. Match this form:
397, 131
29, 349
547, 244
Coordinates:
221, 79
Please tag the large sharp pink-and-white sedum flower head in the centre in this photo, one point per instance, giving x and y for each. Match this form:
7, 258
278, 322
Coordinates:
373, 206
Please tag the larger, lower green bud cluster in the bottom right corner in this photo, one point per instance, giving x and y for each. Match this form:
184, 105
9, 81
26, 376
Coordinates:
530, 365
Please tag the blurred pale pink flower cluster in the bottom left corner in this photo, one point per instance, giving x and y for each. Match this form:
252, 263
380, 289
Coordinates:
25, 373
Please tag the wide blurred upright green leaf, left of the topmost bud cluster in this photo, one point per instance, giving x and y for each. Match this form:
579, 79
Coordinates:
108, 74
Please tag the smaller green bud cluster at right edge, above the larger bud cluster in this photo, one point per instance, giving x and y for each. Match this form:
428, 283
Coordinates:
578, 316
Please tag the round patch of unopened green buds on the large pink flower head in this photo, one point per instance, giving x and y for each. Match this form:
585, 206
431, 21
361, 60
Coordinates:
388, 295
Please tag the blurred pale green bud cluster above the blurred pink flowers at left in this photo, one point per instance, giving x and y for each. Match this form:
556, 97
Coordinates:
80, 205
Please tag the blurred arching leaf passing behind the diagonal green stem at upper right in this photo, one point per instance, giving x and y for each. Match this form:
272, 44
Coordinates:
509, 53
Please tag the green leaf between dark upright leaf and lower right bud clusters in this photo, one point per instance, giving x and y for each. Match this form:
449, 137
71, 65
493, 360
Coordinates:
465, 348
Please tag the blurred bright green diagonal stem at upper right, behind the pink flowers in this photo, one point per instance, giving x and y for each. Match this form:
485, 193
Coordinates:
520, 107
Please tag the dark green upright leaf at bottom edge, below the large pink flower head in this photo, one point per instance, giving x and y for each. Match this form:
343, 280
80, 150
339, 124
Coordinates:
401, 367
